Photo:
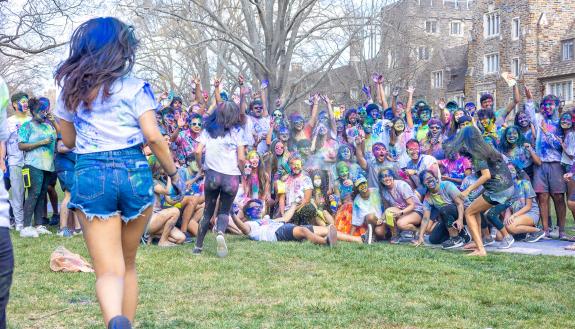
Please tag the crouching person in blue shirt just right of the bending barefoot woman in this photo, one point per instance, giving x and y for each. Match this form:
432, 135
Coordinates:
525, 211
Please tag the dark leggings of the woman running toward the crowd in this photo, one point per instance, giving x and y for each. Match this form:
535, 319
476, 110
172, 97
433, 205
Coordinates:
217, 185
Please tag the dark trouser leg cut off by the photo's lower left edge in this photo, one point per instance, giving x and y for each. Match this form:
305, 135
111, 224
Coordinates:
6, 270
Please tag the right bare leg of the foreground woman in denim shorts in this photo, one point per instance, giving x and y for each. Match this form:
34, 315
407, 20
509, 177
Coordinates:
131, 234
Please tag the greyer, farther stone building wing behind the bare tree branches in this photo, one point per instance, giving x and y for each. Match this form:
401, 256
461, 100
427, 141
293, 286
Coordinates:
422, 43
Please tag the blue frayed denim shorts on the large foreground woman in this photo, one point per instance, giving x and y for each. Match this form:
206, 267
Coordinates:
111, 183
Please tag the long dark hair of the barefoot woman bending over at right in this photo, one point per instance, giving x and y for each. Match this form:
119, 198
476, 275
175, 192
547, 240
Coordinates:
471, 139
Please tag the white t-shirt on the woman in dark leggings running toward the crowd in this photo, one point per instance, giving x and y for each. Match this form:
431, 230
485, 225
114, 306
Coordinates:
221, 152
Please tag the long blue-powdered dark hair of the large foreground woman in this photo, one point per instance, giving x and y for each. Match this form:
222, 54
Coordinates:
102, 50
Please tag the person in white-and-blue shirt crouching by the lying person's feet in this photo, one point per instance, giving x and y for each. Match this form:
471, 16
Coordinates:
367, 210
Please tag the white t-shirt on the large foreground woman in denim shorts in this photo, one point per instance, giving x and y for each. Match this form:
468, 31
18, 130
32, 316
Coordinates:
112, 124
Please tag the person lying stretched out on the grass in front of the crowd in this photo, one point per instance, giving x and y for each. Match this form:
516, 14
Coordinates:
259, 229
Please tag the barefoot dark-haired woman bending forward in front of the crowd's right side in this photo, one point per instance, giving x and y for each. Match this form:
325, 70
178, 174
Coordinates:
495, 178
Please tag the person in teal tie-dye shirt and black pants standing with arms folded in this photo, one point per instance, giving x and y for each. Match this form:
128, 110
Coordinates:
37, 138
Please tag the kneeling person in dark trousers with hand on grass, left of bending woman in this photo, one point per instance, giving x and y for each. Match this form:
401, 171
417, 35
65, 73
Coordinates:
446, 198
